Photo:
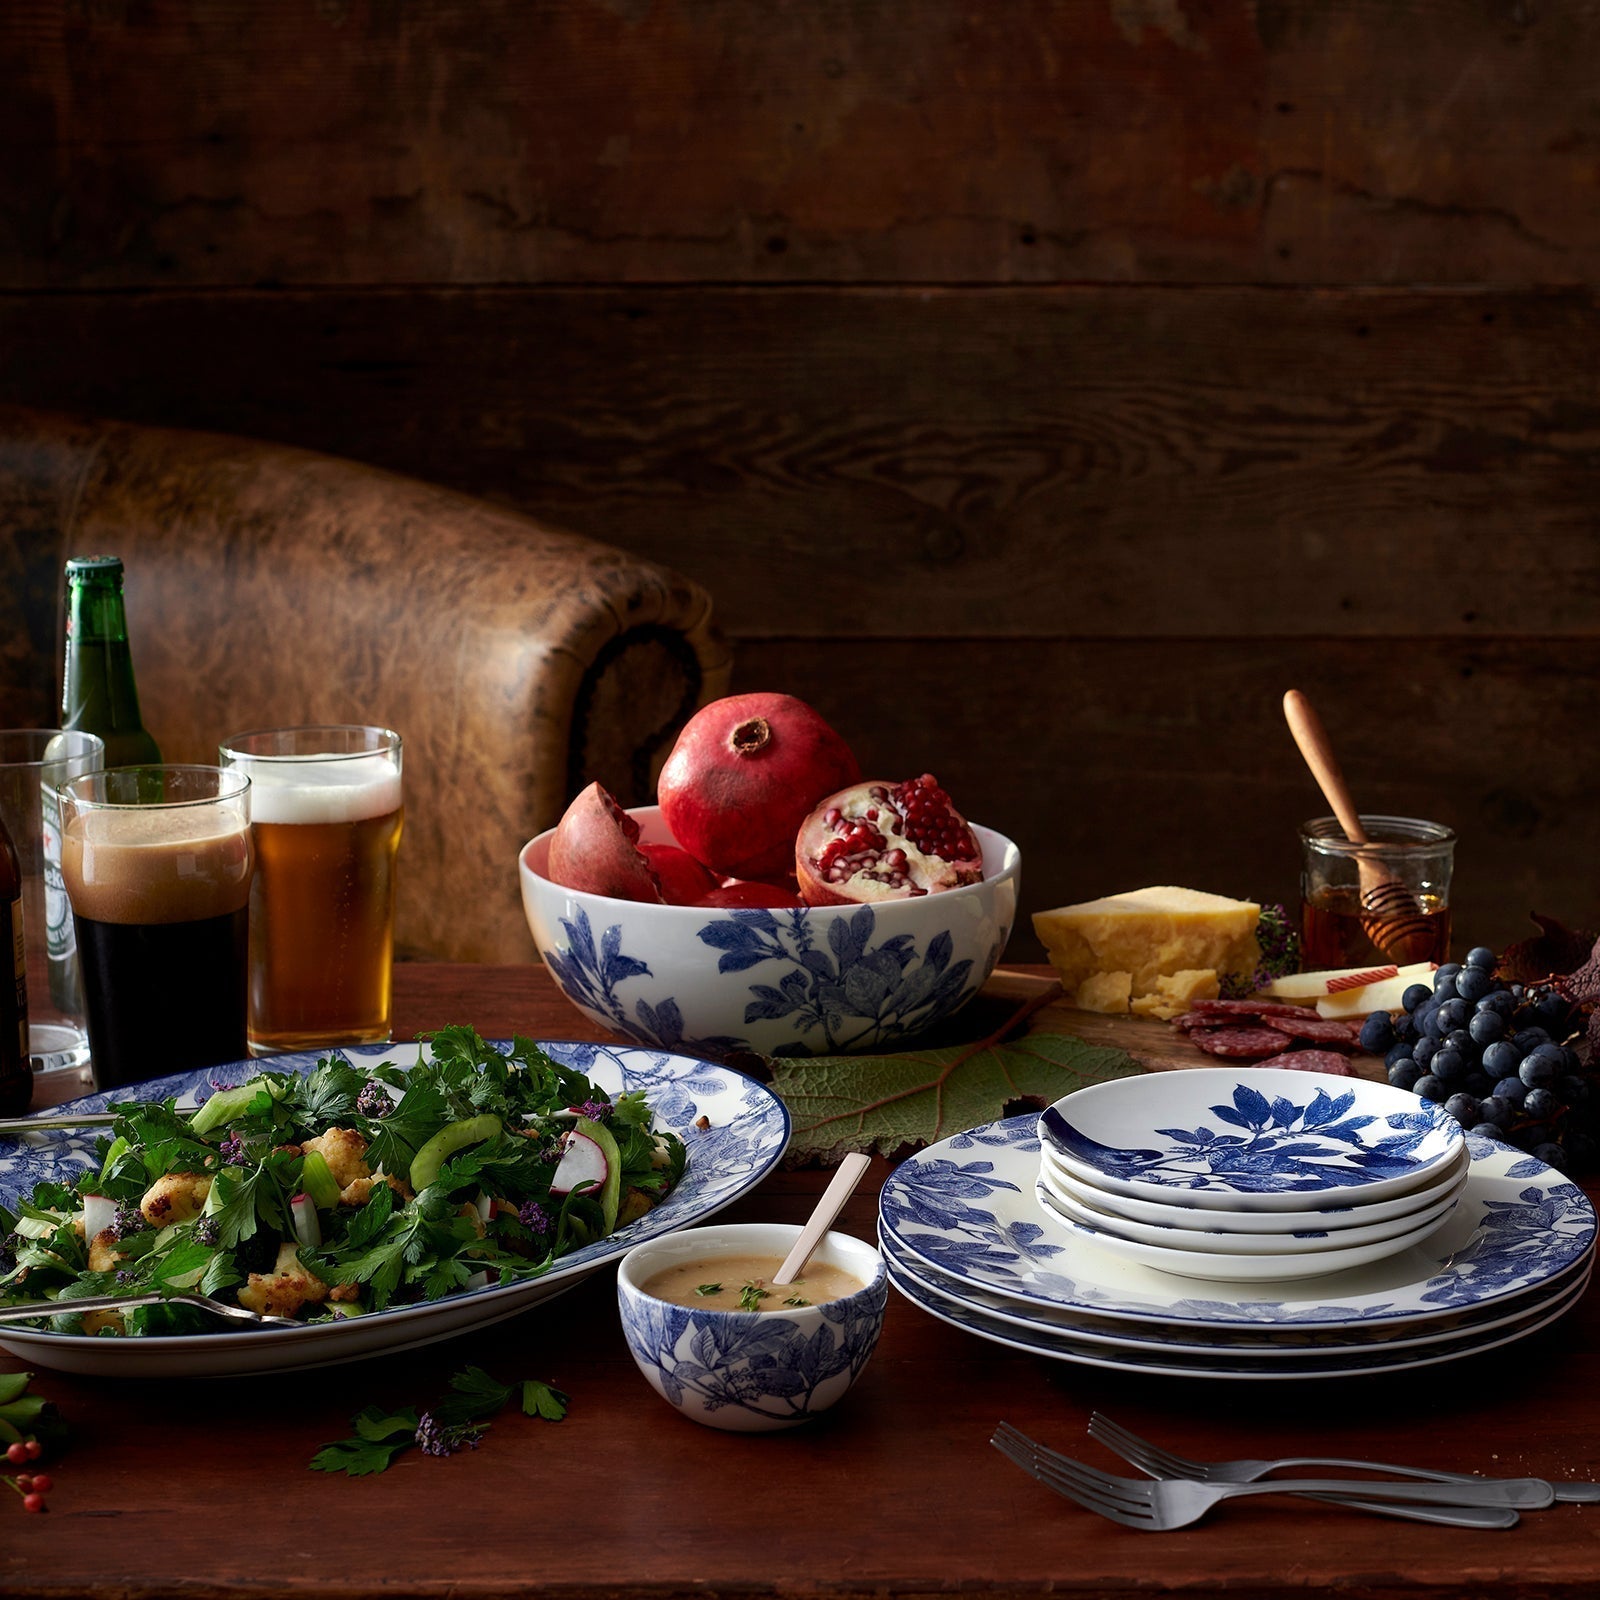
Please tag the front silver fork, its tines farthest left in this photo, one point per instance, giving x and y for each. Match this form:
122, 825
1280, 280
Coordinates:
1177, 1503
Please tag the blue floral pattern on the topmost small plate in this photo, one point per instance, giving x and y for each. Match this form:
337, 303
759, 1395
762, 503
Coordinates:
1274, 1146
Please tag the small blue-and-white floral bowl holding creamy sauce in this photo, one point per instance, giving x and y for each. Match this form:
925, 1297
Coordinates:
740, 1370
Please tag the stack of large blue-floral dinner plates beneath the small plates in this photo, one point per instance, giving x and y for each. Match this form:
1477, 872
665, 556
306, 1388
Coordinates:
970, 1234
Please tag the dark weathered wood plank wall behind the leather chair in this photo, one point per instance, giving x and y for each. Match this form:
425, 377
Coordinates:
1041, 388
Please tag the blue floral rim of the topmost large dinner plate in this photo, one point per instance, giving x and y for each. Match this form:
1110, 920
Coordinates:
977, 1223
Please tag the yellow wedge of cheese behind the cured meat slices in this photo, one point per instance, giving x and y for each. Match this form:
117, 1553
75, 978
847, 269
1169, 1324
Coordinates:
1150, 935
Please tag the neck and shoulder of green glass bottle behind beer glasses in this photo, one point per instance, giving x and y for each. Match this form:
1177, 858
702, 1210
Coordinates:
97, 690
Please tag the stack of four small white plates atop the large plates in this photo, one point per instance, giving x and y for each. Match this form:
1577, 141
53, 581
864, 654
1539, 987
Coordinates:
1250, 1177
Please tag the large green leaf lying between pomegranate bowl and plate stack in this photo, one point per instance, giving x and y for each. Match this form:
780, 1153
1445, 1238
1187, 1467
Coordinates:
887, 1105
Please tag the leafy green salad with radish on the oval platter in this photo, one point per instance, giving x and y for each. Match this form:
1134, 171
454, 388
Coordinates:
342, 1191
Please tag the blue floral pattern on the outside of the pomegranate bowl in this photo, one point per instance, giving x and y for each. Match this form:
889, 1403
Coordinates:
841, 994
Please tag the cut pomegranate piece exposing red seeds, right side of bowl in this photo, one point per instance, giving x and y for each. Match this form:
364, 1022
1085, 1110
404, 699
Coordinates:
882, 841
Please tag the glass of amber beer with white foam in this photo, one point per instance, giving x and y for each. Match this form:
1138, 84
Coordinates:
327, 815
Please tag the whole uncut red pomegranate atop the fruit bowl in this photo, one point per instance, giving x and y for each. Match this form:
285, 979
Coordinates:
743, 777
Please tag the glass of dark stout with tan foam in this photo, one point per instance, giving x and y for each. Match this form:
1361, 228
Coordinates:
158, 863
